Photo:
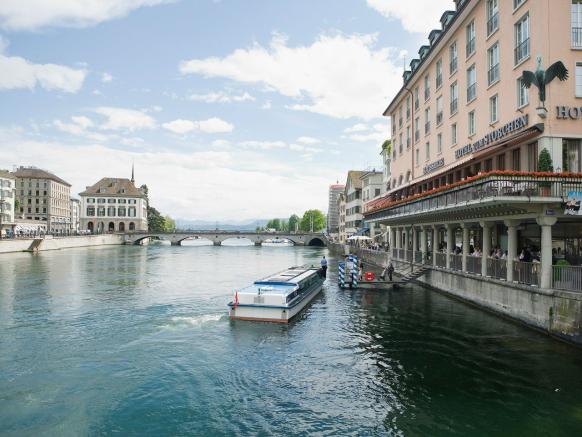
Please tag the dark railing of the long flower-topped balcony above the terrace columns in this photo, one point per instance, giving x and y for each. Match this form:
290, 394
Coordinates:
484, 188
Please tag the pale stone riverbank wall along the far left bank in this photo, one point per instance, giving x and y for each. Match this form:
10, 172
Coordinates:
56, 243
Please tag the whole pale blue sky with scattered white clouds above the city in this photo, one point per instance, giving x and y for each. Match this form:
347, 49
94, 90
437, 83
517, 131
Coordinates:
229, 109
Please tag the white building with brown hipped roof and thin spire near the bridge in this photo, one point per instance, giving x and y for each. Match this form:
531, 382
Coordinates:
113, 205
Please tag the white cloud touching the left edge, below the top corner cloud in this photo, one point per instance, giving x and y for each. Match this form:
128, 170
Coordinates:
17, 72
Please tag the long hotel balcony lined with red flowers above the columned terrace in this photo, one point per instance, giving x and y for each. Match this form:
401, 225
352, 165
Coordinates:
485, 190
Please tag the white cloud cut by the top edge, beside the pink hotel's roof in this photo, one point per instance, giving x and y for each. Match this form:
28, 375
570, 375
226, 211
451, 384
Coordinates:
415, 16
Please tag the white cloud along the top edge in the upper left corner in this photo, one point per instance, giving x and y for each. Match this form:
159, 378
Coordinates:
37, 14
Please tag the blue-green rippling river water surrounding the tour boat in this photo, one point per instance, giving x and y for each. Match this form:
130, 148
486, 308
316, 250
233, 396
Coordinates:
135, 341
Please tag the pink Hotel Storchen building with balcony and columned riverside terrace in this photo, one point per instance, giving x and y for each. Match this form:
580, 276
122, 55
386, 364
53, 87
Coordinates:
467, 137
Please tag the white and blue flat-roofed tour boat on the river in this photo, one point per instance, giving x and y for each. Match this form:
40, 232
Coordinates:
277, 298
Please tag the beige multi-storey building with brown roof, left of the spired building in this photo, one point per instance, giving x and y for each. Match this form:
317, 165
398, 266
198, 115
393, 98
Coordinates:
43, 197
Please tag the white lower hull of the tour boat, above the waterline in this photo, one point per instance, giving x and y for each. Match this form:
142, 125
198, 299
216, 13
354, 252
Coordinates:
257, 313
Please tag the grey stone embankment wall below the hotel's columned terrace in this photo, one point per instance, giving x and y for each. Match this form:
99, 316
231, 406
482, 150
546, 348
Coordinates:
555, 312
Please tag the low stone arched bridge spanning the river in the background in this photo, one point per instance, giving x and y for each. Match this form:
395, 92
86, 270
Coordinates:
217, 237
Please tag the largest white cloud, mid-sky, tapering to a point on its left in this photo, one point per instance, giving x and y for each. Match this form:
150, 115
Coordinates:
339, 76
